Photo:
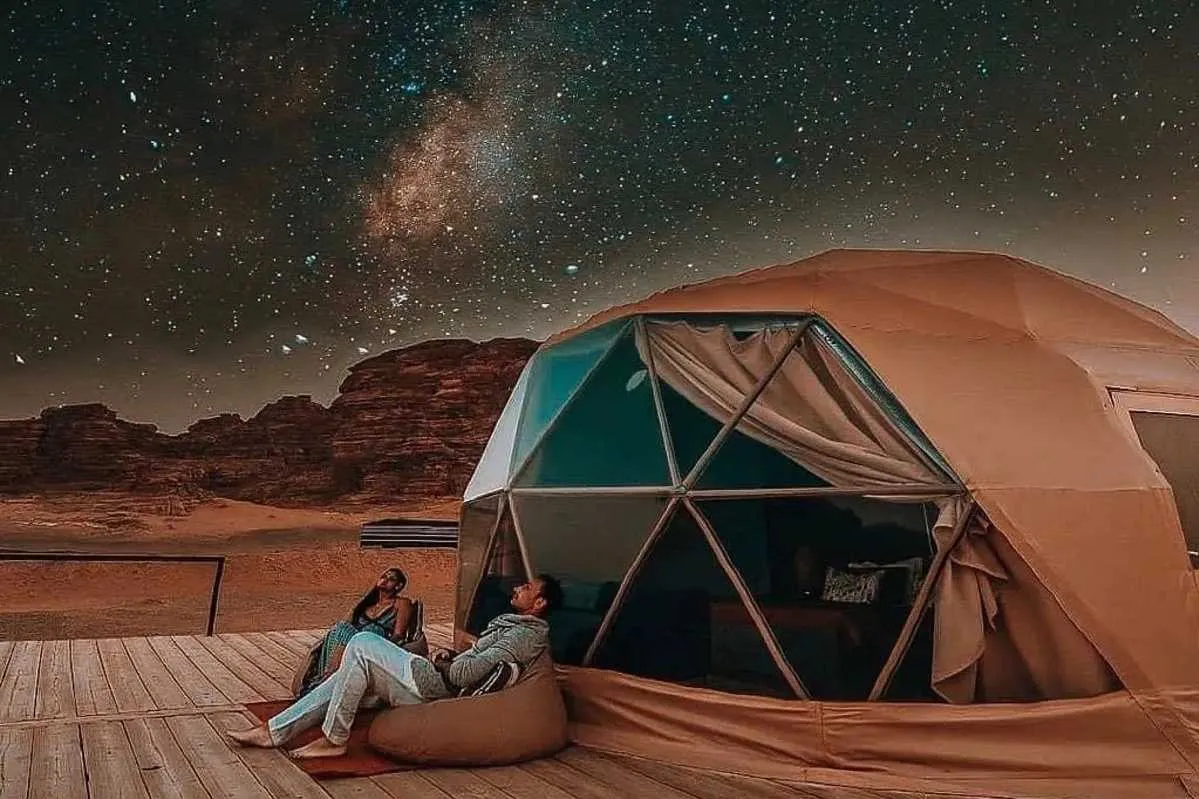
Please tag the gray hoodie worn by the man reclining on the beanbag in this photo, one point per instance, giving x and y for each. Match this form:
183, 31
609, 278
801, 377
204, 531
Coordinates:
510, 638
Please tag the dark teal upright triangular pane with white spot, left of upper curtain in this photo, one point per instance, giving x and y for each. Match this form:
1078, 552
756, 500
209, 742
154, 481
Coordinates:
608, 435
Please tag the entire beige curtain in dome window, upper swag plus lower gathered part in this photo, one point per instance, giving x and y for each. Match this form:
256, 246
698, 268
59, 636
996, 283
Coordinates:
1001, 635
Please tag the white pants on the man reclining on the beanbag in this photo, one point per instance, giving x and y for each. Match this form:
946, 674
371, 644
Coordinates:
372, 670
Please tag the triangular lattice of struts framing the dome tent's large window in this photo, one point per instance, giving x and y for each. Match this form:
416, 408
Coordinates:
684, 490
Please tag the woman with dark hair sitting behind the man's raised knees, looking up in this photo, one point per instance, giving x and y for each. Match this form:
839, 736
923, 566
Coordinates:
383, 611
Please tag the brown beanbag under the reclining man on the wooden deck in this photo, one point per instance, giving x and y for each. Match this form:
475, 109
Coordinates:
520, 724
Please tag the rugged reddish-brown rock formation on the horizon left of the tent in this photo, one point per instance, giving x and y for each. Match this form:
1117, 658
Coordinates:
409, 424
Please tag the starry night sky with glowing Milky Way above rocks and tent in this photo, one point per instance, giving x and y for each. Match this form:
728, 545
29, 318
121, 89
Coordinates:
208, 205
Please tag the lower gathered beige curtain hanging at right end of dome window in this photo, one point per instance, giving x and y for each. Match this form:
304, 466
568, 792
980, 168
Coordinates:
1001, 635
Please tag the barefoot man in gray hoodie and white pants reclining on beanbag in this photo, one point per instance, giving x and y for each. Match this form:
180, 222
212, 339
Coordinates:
375, 666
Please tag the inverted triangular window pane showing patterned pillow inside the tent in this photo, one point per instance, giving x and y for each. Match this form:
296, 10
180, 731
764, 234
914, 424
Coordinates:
835, 579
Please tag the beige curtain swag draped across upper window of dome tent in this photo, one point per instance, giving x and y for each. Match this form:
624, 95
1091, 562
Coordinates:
812, 412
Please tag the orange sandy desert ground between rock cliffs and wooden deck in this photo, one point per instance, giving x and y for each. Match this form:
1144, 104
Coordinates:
285, 568
